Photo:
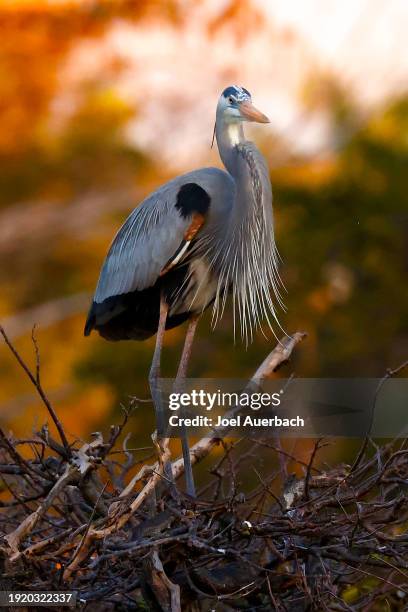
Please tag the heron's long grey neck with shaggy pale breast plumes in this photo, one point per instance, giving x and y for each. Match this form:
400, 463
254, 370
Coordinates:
245, 252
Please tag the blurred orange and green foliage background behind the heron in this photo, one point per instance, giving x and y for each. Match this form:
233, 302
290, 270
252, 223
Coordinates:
100, 102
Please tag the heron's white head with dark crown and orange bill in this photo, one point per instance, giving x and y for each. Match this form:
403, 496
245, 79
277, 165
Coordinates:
235, 105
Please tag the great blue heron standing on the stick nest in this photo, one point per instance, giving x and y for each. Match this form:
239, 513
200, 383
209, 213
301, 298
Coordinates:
190, 243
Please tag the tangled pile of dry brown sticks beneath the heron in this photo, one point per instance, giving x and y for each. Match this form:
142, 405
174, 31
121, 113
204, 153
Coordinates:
297, 543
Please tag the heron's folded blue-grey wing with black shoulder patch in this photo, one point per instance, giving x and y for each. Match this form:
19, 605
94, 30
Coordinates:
157, 234
